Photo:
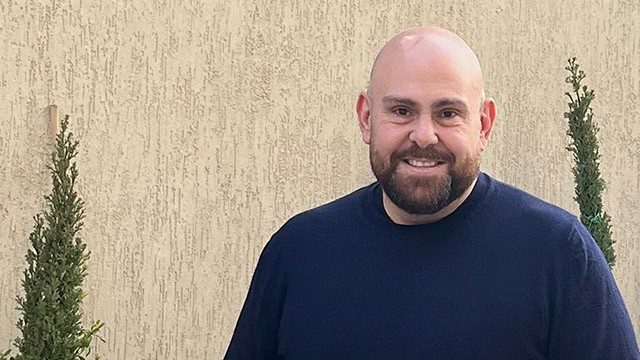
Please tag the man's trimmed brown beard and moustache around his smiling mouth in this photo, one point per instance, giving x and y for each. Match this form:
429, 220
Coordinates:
422, 195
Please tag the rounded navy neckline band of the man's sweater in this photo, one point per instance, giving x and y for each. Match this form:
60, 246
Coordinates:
373, 211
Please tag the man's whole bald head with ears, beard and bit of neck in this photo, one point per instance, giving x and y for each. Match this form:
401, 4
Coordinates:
426, 123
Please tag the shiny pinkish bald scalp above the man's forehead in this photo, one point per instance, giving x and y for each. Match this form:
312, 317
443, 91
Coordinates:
432, 48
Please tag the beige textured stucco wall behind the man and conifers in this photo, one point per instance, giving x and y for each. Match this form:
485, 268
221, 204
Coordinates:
204, 125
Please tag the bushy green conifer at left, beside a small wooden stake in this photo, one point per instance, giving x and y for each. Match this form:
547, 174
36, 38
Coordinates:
51, 314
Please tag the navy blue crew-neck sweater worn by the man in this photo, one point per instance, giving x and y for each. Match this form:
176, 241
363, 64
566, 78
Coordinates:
506, 276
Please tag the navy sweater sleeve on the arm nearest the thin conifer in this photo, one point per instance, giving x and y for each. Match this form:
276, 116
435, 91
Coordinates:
590, 320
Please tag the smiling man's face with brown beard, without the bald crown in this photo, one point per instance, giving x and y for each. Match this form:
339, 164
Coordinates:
425, 130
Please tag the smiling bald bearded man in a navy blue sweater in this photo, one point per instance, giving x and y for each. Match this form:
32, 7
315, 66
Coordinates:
435, 260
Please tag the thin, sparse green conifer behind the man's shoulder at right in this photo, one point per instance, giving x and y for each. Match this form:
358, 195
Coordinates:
584, 146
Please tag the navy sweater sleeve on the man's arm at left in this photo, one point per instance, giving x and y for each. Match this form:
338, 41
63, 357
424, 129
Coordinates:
255, 335
